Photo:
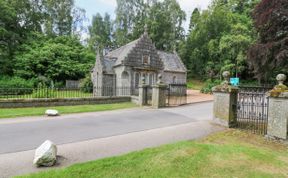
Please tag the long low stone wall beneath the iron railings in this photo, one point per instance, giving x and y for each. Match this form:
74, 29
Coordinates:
61, 102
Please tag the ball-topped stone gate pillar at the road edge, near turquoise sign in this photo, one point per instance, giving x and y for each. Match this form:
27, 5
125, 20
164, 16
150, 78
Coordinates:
225, 103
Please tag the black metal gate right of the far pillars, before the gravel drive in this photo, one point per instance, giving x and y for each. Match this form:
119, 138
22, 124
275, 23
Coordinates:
176, 94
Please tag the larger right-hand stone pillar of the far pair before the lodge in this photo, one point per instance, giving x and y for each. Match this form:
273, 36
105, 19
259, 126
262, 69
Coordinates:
159, 94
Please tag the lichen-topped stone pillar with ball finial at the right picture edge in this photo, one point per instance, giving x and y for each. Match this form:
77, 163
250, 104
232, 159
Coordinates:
278, 110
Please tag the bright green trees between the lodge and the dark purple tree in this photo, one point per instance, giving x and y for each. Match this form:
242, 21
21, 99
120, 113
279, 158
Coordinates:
219, 39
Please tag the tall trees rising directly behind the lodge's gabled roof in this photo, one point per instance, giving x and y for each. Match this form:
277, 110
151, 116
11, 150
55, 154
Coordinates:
163, 18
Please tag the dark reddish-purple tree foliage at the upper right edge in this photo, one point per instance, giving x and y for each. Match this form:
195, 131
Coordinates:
268, 57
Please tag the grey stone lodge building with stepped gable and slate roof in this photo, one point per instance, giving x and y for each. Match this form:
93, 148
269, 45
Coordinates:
125, 67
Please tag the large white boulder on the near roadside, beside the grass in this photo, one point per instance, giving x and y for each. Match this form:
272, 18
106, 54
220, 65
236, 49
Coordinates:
45, 155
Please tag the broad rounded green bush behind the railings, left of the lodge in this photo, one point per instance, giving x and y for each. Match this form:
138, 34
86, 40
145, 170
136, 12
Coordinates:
59, 59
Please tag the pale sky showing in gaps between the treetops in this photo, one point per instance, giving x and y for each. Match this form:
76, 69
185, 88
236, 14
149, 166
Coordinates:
102, 6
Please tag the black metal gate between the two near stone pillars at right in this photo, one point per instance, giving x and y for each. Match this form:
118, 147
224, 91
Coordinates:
252, 109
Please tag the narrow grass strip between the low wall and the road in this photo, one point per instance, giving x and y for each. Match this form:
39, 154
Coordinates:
20, 112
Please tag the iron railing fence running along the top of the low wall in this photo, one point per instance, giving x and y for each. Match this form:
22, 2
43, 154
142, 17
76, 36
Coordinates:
55, 93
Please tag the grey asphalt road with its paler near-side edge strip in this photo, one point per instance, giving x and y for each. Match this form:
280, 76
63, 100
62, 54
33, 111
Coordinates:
90, 136
